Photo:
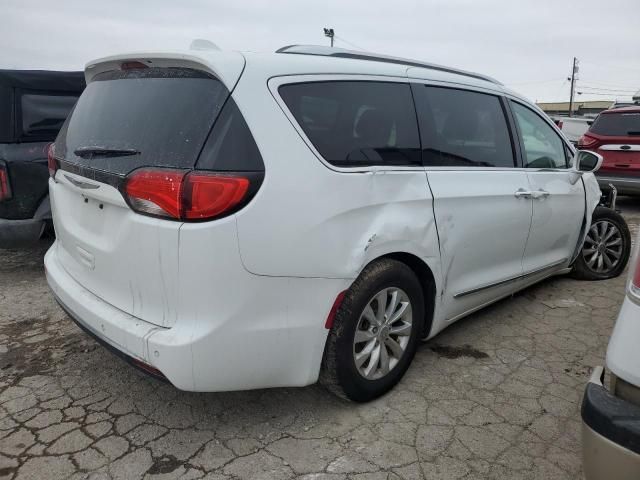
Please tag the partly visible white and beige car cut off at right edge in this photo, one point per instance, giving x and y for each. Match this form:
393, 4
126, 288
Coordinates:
611, 417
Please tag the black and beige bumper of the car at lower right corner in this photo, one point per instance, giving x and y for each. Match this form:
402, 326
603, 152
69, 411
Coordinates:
610, 434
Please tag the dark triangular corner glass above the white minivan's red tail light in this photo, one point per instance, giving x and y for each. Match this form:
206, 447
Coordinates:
230, 146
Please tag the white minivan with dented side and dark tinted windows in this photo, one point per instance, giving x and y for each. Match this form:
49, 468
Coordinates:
234, 221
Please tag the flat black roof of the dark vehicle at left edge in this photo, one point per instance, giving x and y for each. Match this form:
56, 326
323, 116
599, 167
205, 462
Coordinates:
43, 80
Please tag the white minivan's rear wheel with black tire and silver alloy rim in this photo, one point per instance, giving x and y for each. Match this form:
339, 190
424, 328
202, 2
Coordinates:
385, 308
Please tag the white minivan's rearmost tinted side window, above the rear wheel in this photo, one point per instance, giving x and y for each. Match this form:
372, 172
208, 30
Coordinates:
357, 123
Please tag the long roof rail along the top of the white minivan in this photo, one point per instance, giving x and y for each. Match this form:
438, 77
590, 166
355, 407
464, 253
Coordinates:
374, 57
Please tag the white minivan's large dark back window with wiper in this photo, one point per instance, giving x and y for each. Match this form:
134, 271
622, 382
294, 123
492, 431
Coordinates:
157, 116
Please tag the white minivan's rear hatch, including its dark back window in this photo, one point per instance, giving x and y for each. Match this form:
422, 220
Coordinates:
129, 119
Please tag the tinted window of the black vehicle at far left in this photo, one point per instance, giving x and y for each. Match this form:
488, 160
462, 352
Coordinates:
43, 115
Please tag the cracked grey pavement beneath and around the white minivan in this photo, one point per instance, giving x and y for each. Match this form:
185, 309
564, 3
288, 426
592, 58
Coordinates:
496, 395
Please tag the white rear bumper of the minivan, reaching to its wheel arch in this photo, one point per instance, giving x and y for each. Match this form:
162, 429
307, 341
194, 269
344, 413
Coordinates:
274, 338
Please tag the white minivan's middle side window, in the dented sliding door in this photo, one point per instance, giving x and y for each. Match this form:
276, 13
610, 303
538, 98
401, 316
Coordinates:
461, 128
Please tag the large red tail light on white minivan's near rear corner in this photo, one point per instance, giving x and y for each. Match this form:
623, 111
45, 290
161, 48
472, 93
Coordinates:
185, 195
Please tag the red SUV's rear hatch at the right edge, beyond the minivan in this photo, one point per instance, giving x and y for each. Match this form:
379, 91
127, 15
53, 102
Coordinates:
616, 136
